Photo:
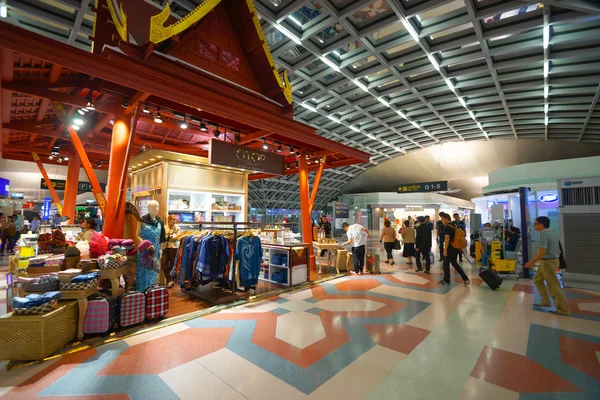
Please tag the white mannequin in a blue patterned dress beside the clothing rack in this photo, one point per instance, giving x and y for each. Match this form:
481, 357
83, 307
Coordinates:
150, 228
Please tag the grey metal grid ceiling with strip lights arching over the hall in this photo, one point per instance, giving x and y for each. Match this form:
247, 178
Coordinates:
393, 77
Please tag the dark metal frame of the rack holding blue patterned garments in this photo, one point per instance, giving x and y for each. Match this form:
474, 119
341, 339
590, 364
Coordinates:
236, 227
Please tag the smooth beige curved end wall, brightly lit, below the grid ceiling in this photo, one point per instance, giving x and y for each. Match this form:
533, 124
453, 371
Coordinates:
464, 165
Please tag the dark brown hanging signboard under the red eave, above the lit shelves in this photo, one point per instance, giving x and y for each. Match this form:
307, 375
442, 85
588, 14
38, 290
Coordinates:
236, 156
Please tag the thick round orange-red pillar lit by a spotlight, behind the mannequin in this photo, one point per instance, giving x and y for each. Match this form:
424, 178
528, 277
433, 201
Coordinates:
114, 221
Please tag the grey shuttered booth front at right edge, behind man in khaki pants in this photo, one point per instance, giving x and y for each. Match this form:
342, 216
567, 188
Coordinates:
579, 213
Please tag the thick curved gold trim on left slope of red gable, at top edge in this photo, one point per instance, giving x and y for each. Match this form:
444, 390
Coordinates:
159, 32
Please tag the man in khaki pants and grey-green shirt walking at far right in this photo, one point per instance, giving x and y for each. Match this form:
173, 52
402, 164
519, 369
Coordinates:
547, 255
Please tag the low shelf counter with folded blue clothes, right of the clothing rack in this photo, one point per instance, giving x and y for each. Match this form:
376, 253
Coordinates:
285, 264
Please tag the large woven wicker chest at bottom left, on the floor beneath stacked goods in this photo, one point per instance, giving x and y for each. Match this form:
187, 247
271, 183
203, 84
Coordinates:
34, 337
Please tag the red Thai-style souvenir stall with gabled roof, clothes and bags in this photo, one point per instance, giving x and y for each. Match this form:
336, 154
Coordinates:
158, 100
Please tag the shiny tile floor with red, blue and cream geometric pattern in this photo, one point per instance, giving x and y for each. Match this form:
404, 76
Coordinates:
392, 336
